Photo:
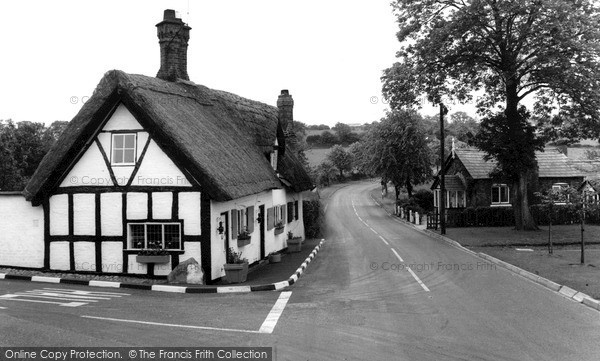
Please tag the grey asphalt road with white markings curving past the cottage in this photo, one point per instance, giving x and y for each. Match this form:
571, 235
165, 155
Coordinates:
358, 300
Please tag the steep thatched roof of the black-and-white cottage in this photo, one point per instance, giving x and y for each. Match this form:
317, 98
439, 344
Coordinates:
219, 139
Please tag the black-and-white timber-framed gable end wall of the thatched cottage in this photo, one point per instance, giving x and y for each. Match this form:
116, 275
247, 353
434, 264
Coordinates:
114, 184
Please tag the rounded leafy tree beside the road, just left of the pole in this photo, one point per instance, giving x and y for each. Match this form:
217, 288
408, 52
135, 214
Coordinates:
396, 150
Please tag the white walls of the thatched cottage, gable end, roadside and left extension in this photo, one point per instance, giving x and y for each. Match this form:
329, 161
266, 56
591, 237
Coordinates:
83, 225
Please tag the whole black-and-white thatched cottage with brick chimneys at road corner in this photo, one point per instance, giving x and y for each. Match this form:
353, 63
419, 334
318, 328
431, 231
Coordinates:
159, 163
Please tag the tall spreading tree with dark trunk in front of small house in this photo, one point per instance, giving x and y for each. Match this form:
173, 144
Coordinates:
511, 49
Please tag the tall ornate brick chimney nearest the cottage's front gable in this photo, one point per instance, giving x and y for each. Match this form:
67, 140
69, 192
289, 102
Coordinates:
173, 36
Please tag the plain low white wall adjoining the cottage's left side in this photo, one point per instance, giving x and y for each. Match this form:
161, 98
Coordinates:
21, 232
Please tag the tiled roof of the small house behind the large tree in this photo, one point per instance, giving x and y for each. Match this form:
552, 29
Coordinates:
551, 163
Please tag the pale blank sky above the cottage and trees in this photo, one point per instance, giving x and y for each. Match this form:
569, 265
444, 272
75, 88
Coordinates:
329, 54
